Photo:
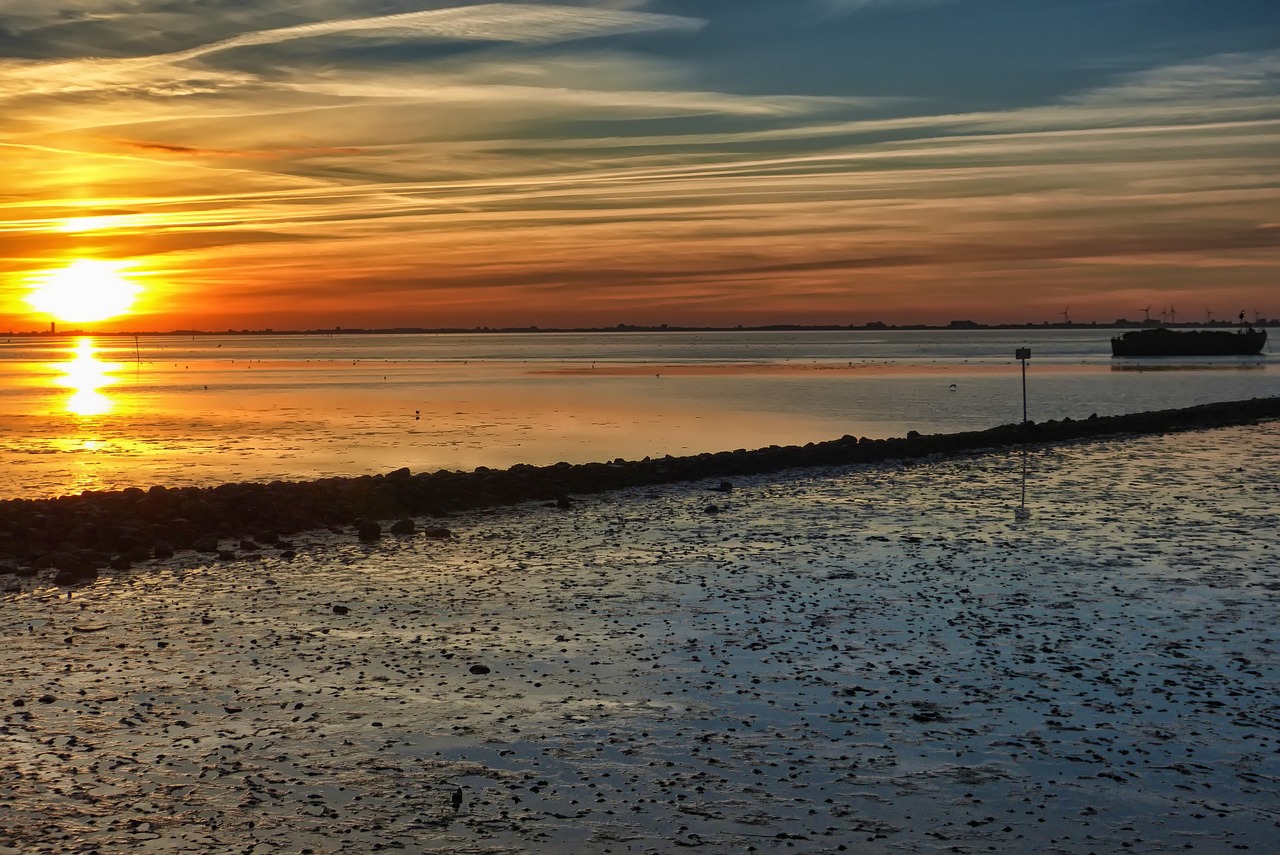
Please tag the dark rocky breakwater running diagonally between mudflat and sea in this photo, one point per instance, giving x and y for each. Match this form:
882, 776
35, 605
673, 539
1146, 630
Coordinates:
70, 539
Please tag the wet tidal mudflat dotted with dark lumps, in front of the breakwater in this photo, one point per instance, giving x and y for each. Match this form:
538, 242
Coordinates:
880, 660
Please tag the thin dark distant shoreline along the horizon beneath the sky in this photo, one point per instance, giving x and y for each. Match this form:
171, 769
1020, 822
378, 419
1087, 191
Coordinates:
874, 327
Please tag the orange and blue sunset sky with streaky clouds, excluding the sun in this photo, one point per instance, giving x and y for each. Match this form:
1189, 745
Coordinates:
309, 164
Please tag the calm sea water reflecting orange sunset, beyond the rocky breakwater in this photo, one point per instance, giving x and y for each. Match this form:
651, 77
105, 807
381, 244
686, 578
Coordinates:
111, 413
